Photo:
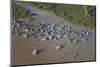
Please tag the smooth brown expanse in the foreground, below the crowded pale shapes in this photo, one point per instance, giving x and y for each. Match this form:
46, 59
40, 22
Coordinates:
22, 51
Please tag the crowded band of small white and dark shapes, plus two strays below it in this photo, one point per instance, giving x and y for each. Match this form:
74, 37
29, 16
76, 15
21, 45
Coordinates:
48, 31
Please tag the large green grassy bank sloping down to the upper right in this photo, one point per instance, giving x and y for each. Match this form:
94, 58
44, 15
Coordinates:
77, 14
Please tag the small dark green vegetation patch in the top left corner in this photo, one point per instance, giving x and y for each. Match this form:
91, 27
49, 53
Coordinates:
18, 12
